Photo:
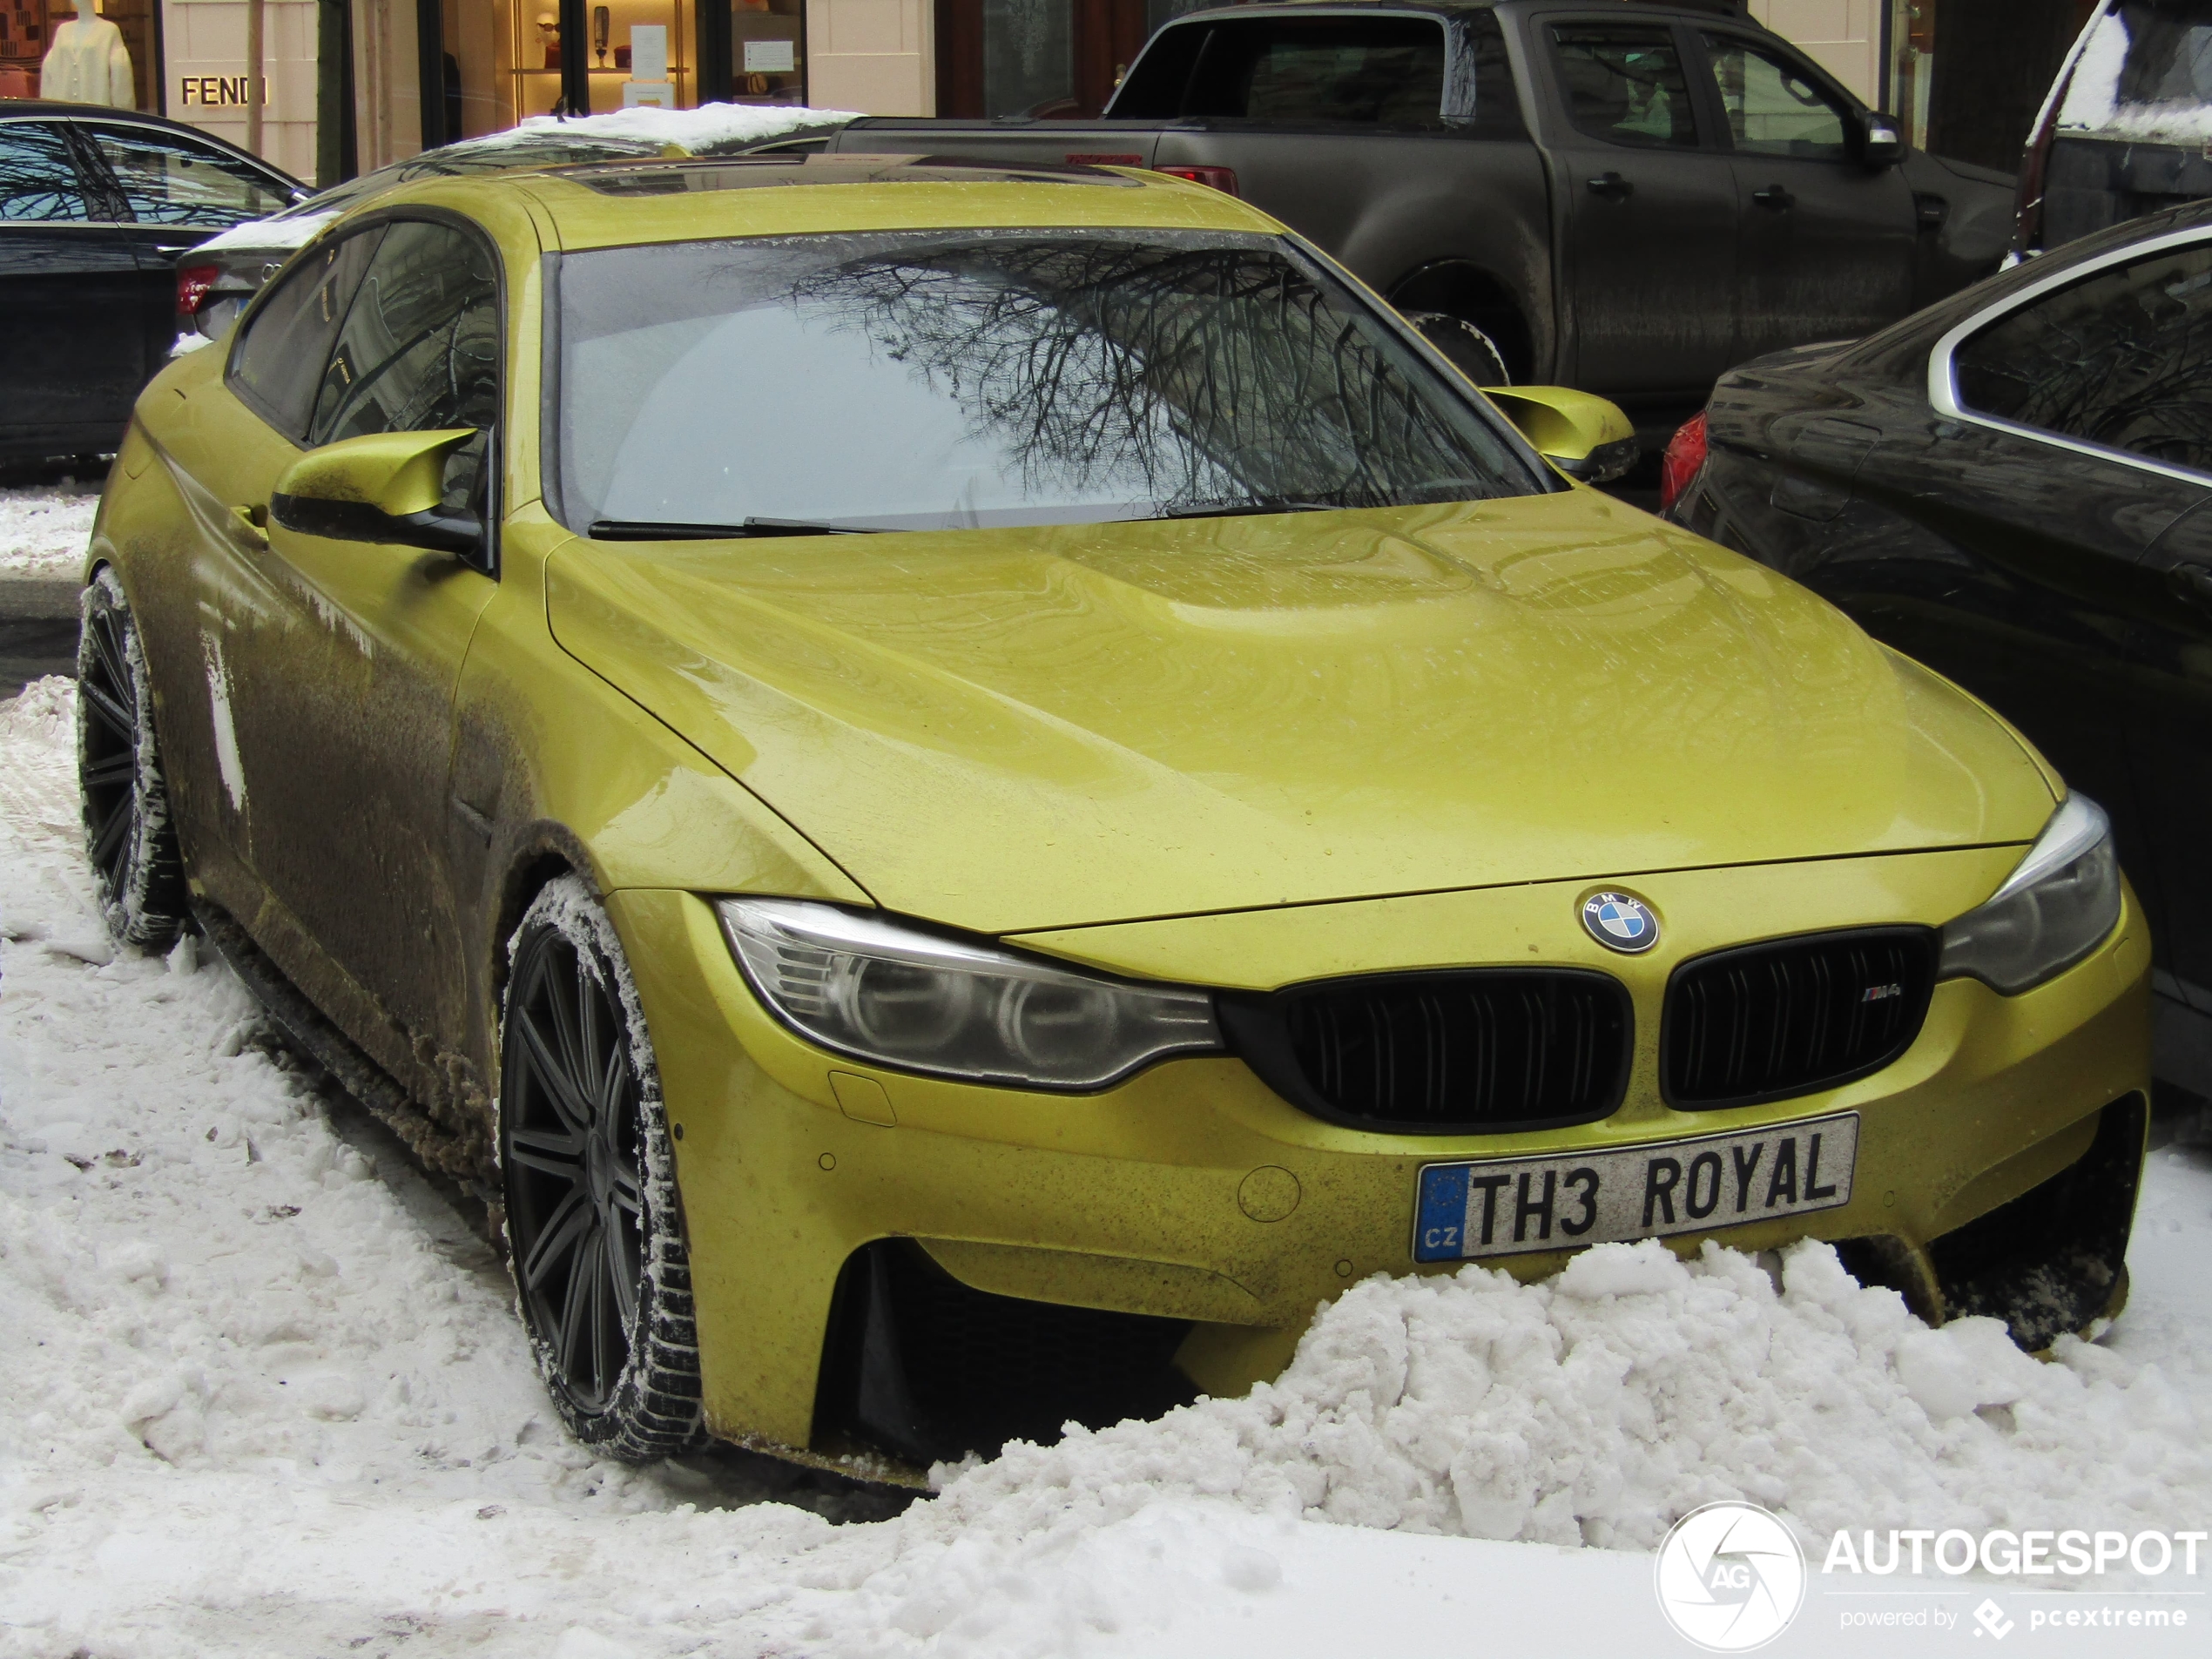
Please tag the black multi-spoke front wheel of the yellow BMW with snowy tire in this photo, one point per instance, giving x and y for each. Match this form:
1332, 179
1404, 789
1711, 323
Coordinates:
594, 1229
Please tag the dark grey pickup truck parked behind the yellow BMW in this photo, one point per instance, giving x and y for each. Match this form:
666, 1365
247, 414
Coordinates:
1618, 198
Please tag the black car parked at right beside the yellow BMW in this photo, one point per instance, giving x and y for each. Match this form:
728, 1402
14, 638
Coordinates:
2014, 488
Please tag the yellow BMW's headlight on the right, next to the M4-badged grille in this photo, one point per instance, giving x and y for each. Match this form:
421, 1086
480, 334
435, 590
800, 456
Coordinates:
2054, 910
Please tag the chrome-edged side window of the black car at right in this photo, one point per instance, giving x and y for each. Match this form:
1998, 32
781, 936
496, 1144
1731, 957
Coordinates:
2118, 359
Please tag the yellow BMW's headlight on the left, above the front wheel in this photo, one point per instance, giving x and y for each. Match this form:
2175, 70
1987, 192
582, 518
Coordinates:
899, 997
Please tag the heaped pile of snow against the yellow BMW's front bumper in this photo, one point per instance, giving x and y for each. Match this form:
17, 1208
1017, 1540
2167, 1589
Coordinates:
1605, 1404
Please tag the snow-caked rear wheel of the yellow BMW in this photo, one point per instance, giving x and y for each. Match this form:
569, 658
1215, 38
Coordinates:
129, 837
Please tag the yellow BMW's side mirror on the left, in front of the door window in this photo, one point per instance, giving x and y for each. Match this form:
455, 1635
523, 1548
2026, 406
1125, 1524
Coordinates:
386, 488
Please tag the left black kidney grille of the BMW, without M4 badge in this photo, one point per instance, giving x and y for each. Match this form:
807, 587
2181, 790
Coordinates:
1434, 1054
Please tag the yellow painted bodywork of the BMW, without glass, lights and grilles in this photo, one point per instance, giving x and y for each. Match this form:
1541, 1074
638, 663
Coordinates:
1233, 753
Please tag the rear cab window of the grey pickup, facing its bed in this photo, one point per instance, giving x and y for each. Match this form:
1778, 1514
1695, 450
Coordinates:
1381, 72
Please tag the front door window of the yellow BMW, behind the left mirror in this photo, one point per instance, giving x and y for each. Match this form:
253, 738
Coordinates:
421, 348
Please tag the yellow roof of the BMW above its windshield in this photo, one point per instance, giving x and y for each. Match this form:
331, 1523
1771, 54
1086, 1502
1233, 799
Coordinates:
607, 205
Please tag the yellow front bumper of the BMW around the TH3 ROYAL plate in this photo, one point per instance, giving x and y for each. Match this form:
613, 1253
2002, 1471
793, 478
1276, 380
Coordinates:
1196, 1193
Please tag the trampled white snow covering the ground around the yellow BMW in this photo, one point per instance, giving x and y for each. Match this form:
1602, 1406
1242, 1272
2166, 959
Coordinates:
264, 1395
